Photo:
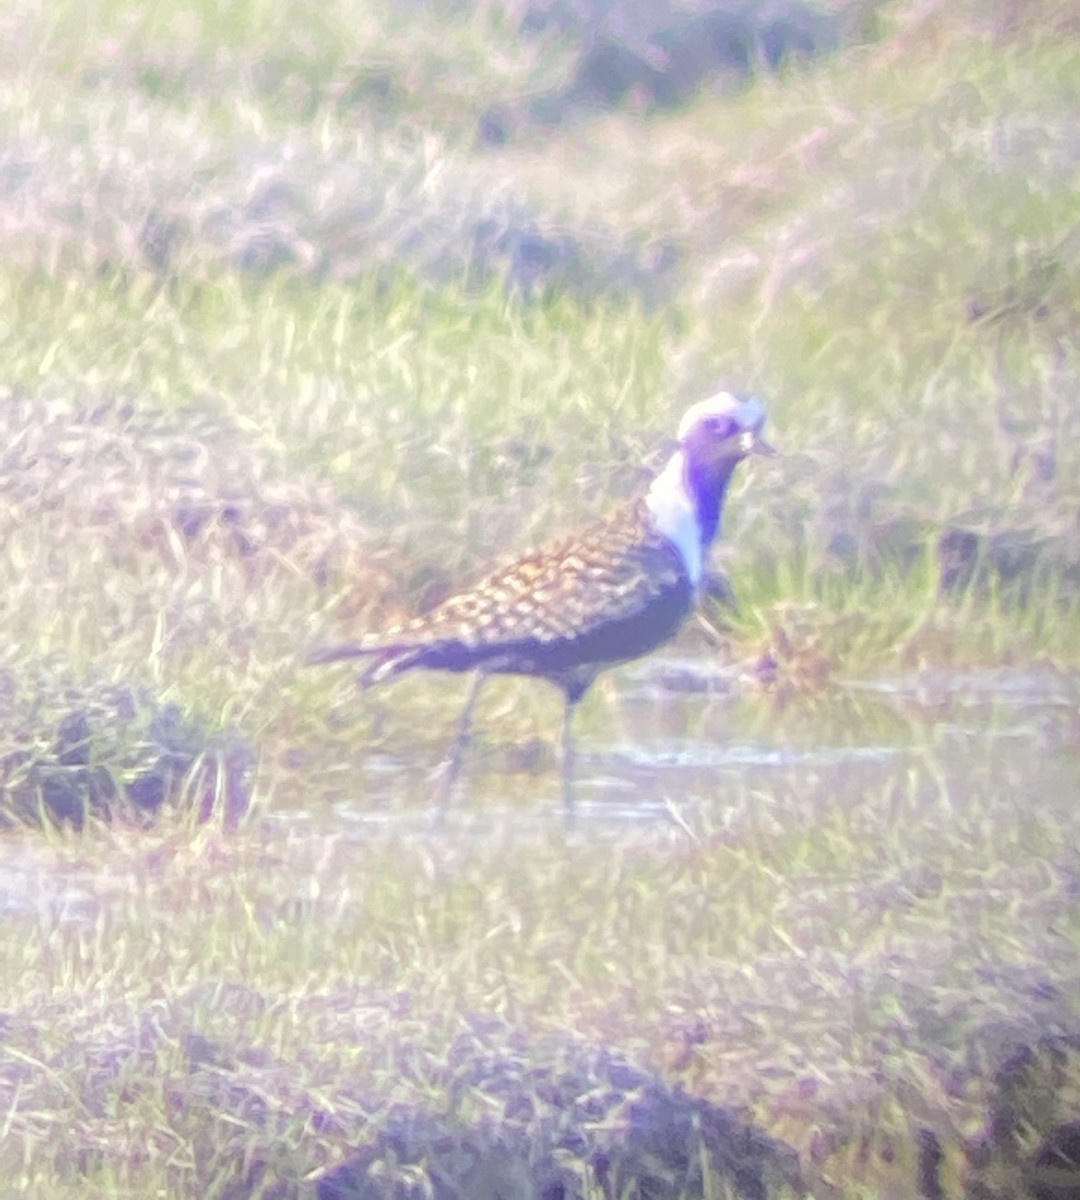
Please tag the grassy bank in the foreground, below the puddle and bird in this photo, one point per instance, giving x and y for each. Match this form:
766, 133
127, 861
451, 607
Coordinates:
190, 1017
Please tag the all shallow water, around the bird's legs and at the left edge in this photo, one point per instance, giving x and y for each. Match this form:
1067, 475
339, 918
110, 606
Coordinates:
682, 745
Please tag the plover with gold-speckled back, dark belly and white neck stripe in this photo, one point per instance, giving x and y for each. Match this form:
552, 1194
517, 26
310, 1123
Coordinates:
609, 595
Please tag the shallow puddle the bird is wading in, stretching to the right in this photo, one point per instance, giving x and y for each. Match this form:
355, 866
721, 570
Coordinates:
681, 735
